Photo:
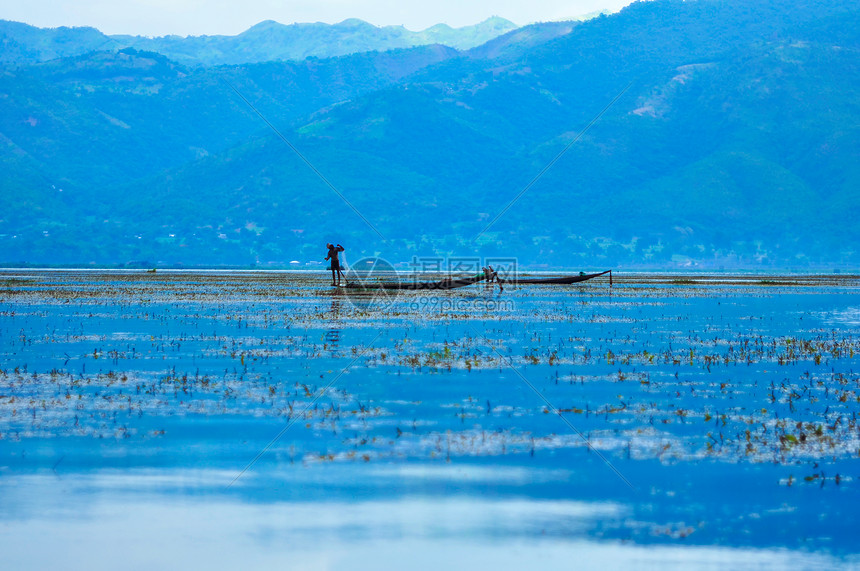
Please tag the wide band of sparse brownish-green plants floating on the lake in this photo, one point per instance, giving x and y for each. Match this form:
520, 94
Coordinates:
647, 372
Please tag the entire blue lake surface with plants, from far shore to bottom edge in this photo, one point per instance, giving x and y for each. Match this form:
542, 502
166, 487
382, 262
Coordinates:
260, 419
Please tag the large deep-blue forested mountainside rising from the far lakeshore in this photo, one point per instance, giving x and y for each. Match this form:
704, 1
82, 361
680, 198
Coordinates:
736, 145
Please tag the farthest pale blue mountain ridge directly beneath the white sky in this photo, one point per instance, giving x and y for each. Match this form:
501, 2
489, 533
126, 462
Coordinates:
266, 41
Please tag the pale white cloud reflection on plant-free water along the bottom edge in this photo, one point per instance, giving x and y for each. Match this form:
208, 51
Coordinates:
111, 521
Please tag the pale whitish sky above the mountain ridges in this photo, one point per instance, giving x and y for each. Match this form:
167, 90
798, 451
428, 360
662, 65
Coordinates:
197, 17
